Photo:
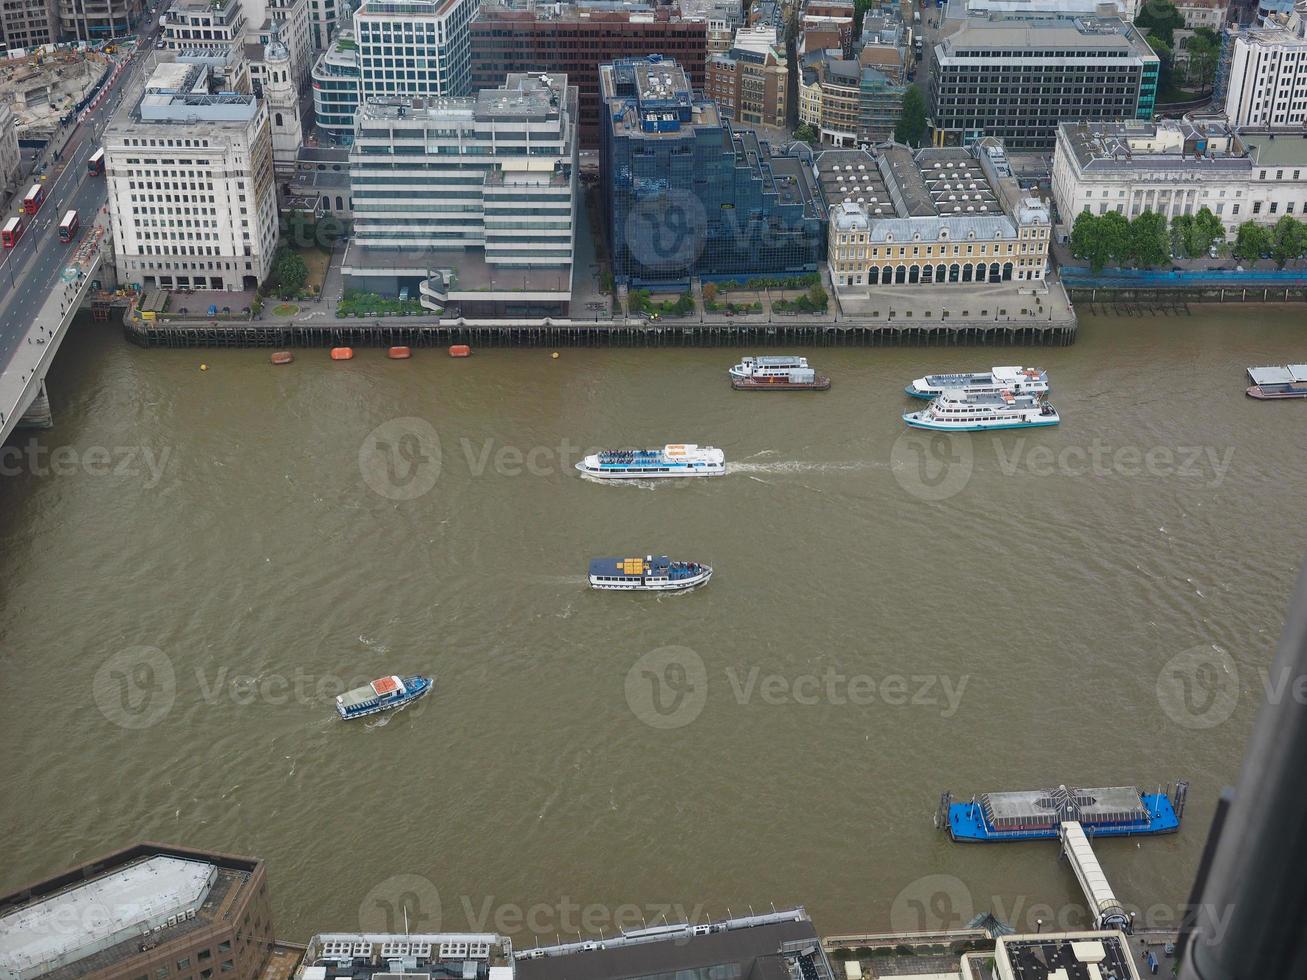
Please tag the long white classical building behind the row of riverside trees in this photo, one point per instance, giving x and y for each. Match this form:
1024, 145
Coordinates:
1177, 168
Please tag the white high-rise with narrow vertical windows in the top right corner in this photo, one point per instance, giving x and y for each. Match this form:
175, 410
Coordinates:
1268, 75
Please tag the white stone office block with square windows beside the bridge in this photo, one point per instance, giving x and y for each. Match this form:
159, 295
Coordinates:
191, 193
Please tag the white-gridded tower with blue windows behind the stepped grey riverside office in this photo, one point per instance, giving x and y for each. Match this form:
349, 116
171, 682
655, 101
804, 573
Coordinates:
414, 48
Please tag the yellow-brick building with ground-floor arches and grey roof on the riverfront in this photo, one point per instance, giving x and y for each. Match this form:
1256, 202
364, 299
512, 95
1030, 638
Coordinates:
936, 218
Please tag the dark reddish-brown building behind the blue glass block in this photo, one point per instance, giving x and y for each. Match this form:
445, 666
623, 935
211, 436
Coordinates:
578, 41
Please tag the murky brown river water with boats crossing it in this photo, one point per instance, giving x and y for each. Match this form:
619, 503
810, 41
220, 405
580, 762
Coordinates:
194, 564
